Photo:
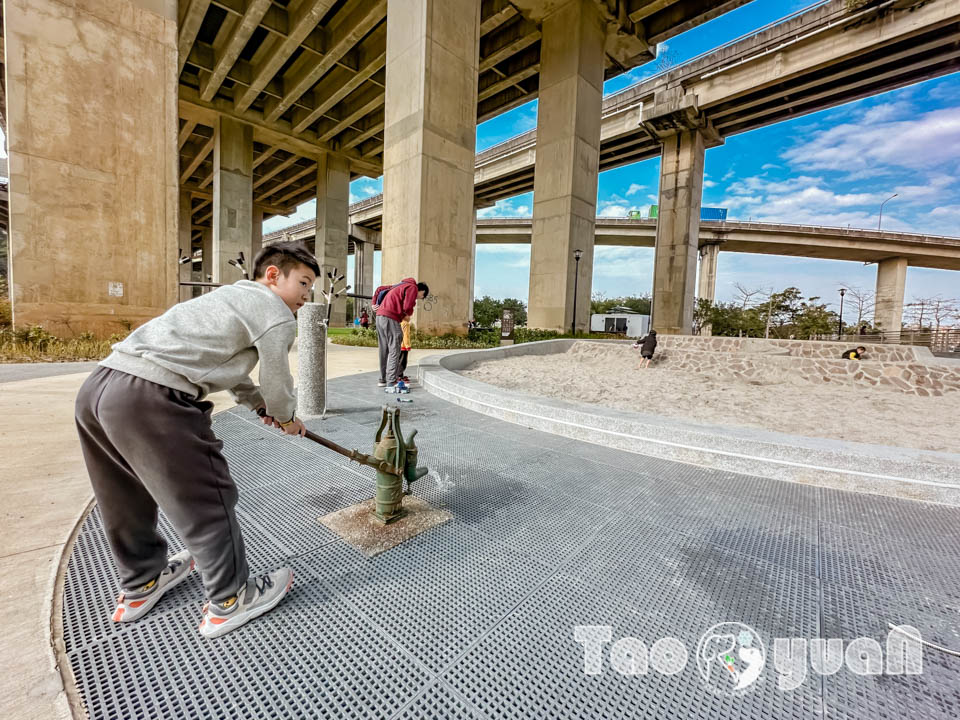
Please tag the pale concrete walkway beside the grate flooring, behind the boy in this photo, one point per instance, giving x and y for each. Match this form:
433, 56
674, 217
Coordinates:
44, 490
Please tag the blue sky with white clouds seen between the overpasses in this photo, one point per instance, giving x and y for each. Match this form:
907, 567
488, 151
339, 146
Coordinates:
834, 167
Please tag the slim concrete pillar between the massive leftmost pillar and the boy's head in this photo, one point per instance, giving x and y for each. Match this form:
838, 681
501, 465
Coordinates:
232, 196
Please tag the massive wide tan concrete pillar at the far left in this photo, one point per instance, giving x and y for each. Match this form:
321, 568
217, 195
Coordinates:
93, 199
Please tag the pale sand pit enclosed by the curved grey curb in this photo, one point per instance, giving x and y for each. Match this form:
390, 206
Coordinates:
607, 374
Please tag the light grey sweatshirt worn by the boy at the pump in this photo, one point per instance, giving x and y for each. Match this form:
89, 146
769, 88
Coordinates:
212, 343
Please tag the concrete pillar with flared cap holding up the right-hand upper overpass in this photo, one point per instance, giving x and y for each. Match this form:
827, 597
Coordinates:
684, 135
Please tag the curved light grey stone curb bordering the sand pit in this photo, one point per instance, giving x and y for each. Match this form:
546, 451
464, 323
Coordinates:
878, 469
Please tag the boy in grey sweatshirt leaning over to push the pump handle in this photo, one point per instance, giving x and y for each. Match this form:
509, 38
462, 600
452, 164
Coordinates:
147, 439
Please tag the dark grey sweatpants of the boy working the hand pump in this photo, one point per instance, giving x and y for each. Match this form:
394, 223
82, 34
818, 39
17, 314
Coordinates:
147, 445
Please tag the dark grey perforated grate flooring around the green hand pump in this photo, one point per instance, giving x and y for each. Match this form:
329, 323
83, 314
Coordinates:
475, 619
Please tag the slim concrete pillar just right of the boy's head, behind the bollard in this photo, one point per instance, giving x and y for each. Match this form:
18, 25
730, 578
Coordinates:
332, 229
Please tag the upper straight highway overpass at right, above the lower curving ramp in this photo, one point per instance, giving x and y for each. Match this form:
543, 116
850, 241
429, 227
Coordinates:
815, 59
